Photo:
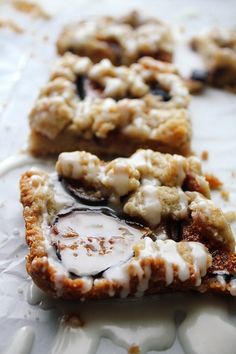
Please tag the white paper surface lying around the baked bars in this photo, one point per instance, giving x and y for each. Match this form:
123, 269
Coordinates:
24, 65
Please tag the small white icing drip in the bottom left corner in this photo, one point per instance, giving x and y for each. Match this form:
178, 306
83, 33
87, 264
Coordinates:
22, 342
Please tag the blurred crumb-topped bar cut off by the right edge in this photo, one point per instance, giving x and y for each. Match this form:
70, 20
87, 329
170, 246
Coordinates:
218, 50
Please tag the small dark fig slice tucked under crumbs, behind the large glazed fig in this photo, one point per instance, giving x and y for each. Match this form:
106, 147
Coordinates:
85, 196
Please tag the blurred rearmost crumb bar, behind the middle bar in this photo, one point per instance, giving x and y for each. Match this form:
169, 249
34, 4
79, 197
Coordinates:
122, 40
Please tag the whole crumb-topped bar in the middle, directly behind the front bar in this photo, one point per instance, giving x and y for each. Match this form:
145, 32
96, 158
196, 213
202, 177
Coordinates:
111, 111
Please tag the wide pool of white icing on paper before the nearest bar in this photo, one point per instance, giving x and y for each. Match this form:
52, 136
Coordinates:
148, 324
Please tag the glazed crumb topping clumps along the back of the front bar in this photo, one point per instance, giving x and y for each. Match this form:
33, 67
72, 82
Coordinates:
155, 186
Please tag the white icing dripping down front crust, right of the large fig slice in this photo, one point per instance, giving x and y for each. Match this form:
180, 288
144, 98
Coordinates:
167, 251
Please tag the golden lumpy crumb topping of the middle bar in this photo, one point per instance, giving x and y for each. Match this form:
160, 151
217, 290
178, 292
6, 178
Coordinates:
138, 113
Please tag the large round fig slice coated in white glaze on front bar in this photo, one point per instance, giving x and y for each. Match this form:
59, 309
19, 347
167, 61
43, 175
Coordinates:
89, 242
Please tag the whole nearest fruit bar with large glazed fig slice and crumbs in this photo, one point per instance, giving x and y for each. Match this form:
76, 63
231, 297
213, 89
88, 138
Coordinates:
128, 227
